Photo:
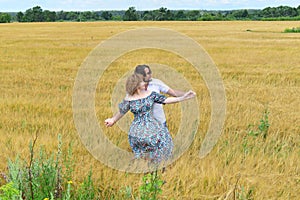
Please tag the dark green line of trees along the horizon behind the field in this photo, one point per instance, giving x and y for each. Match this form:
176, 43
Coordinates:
37, 14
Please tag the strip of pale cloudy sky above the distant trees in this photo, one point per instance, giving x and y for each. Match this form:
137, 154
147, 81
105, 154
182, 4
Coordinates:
96, 5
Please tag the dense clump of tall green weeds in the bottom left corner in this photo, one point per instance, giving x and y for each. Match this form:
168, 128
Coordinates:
45, 177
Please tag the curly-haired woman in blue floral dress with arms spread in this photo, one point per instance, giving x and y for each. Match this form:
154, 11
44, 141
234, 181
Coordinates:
148, 138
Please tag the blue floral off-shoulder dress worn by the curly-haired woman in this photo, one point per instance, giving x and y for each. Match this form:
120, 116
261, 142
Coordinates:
148, 138
